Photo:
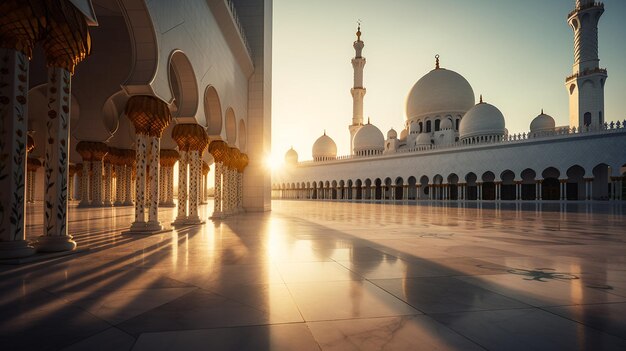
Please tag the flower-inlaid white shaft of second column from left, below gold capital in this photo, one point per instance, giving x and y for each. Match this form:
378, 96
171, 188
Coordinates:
55, 236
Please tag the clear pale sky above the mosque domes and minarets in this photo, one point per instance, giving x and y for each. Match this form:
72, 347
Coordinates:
516, 53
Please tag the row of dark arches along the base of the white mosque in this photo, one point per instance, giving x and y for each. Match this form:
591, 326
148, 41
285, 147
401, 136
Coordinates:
528, 185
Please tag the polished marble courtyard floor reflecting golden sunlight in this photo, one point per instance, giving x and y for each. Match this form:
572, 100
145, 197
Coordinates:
330, 276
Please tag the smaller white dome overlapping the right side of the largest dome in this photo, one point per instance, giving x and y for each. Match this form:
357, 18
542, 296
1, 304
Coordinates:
482, 120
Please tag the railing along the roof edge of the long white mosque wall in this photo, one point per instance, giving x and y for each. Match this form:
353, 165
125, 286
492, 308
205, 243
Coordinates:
511, 138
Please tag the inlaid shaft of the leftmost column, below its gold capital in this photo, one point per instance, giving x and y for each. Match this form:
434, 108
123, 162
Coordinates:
13, 140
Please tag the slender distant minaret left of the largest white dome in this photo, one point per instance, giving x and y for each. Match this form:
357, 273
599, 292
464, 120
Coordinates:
357, 91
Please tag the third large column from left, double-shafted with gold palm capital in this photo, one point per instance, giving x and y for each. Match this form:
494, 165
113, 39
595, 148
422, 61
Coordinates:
150, 116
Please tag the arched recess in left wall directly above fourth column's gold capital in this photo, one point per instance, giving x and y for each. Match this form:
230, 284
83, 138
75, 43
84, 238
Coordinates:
183, 86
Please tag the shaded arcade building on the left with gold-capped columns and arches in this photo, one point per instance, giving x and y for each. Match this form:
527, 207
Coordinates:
101, 98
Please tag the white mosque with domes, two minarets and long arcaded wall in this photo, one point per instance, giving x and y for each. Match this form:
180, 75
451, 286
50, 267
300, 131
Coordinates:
452, 148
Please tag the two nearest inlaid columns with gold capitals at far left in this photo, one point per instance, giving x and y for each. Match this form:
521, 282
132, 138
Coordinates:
63, 33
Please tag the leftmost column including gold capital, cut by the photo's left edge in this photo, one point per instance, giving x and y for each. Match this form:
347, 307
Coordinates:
18, 32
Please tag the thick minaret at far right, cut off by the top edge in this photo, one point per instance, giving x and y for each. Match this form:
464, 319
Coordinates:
586, 85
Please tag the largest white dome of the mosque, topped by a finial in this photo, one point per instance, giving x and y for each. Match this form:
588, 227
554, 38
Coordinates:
440, 91
